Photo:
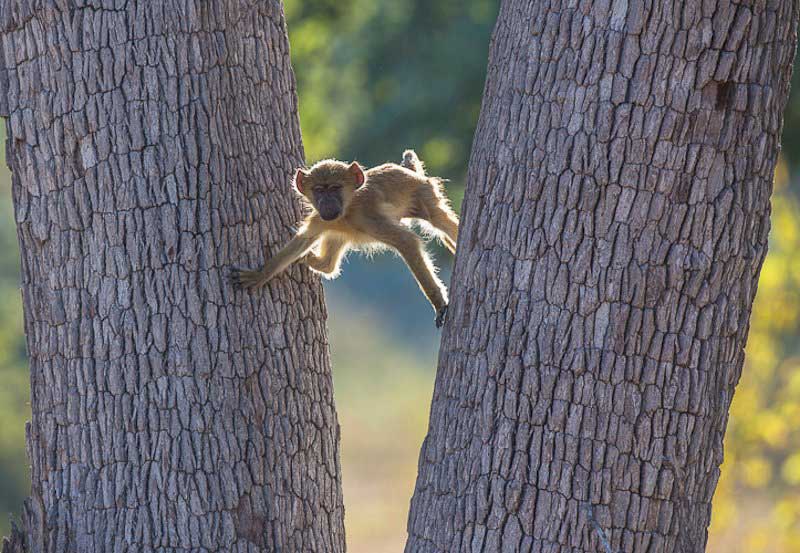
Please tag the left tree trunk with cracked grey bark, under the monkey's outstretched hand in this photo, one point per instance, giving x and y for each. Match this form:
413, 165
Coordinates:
152, 145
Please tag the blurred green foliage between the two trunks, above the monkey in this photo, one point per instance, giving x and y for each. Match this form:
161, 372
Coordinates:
377, 77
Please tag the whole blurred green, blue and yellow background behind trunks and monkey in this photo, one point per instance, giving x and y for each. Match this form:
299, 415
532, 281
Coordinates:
375, 77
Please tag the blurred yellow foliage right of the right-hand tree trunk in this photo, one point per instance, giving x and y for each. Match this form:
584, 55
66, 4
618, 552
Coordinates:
757, 504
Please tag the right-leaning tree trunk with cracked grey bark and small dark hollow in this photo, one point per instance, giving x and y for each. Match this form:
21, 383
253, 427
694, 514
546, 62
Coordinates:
614, 226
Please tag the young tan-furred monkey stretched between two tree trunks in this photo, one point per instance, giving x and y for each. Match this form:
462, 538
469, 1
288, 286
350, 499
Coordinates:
373, 215
